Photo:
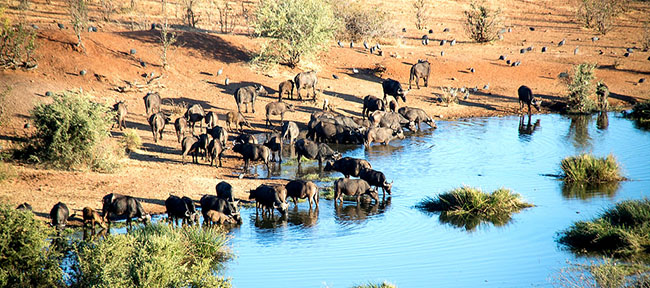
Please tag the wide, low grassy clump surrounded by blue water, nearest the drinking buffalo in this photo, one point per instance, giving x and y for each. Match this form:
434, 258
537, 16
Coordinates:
468, 207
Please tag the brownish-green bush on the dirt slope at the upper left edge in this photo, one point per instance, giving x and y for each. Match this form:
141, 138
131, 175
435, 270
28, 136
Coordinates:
18, 44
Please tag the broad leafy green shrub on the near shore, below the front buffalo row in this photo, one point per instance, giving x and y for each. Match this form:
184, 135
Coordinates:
153, 256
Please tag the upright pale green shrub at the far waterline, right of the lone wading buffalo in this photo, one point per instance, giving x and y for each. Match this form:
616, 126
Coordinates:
581, 87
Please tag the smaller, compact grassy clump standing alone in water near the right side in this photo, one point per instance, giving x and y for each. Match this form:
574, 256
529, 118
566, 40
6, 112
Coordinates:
587, 168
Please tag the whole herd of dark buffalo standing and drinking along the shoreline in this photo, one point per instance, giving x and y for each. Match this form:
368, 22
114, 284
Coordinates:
381, 121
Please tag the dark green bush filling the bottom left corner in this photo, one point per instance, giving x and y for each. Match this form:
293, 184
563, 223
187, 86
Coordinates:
27, 259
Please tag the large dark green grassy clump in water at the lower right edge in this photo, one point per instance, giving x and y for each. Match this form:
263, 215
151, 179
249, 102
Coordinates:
620, 231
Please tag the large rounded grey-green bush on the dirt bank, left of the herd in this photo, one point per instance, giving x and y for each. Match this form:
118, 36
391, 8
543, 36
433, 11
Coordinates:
71, 133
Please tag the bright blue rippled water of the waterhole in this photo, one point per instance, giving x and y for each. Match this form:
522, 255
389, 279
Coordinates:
340, 247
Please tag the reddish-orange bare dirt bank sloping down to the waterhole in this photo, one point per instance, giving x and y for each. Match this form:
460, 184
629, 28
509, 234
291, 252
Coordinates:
156, 171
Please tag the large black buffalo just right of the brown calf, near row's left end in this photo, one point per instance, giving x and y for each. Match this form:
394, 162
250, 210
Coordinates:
117, 207
